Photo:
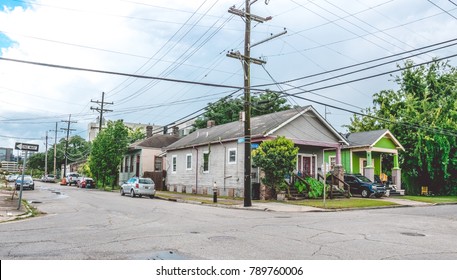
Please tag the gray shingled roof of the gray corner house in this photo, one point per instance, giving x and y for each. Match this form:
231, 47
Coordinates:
260, 126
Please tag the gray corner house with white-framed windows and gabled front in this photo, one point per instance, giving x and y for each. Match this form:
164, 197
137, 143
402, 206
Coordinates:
214, 156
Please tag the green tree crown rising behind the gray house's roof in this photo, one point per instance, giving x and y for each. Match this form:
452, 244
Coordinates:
227, 109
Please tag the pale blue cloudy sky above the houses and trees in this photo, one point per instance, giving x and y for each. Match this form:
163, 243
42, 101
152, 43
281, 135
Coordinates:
188, 41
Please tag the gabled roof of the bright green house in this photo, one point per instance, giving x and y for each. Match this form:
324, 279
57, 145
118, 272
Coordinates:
370, 138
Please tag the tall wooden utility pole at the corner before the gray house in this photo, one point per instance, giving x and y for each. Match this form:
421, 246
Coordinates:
247, 60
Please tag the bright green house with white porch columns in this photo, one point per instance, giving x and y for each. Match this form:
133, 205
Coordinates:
364, 155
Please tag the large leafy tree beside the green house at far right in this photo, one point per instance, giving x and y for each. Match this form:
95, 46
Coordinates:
422, 114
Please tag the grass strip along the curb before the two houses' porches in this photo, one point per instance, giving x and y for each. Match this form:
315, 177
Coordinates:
344, 203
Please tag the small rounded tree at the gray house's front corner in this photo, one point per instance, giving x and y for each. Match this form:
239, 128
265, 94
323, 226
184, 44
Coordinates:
277, 158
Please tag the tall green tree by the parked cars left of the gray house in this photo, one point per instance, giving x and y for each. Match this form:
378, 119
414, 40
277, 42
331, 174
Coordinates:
107, 152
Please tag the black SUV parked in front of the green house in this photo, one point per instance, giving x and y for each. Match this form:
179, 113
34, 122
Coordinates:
362, 185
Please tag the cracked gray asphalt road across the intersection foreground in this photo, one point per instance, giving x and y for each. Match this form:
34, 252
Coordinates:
89, 224
